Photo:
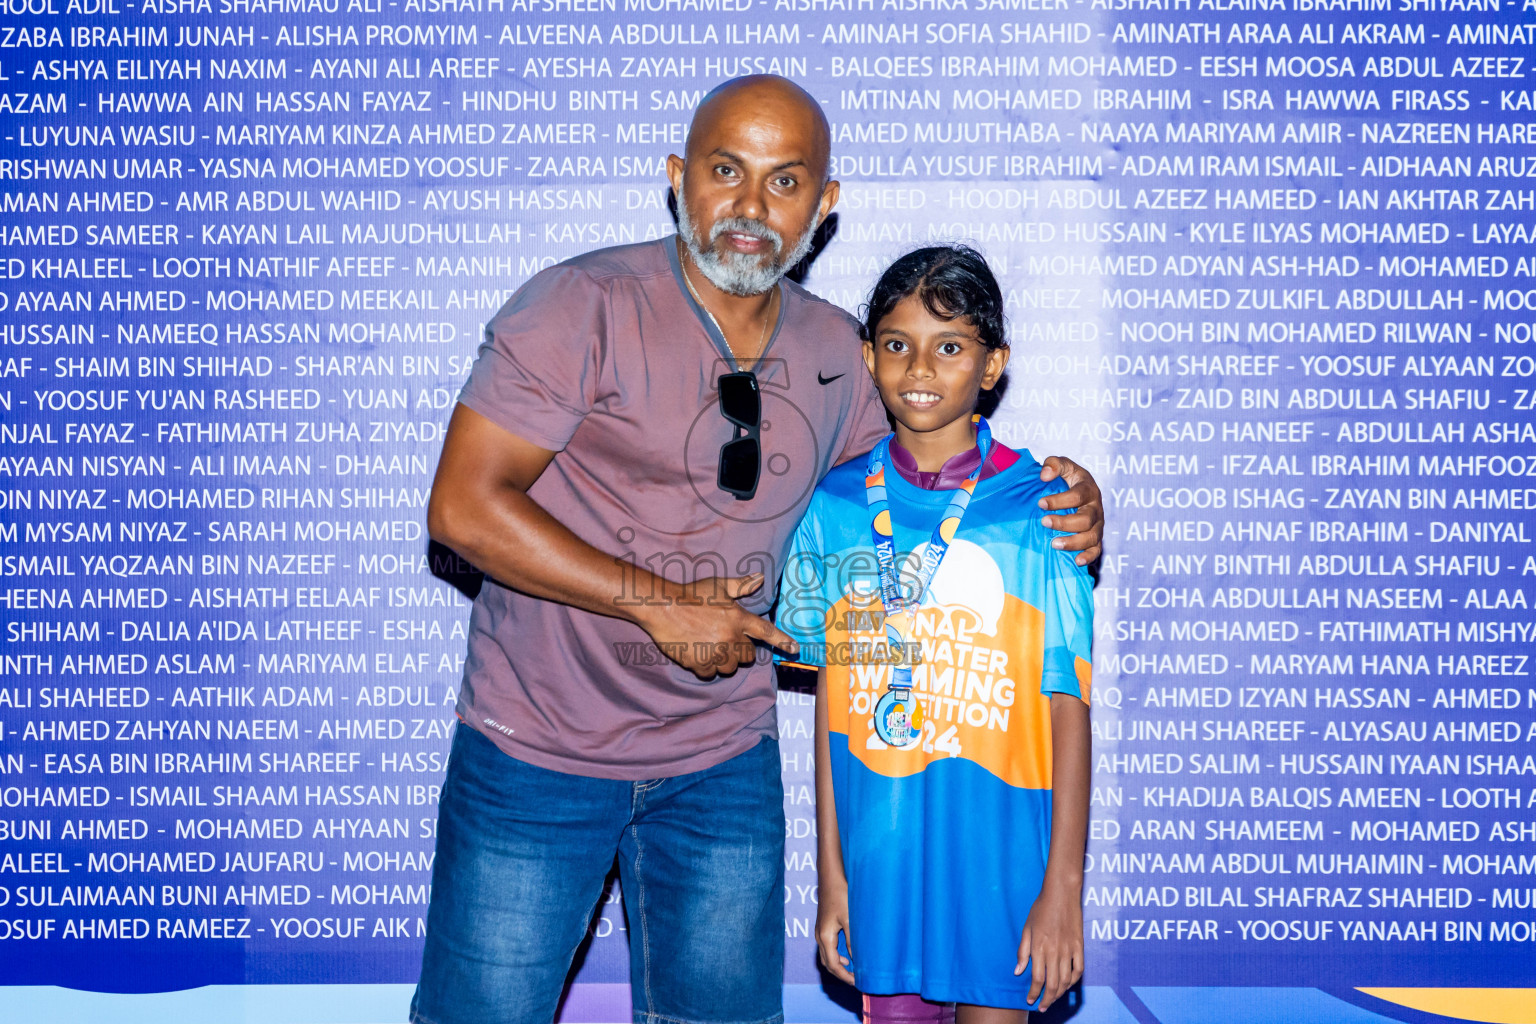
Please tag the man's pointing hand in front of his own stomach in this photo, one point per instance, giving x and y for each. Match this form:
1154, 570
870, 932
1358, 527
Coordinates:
701, 627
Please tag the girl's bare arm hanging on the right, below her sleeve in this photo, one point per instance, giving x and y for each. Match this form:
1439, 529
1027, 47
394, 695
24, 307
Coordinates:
1054, 931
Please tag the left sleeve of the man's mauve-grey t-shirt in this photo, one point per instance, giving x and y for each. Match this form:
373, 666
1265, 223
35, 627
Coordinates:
537, 372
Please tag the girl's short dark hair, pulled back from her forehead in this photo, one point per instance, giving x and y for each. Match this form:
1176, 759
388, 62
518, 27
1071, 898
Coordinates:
953, 283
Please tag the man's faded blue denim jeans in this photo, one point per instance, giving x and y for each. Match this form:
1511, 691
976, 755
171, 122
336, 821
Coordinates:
523, 854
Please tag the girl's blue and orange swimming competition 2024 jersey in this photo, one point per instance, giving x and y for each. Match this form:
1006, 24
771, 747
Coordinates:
944, 841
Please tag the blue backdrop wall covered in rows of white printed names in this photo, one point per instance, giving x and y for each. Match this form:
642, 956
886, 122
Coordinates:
1270, 274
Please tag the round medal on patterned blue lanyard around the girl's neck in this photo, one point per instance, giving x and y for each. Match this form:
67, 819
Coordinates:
898, 716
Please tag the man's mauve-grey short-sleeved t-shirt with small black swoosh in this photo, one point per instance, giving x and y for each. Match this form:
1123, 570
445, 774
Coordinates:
611, 363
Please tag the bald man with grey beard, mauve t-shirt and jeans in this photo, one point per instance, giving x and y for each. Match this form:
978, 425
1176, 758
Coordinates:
629, 458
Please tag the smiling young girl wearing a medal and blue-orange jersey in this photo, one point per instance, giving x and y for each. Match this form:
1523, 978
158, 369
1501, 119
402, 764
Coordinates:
952, 710
